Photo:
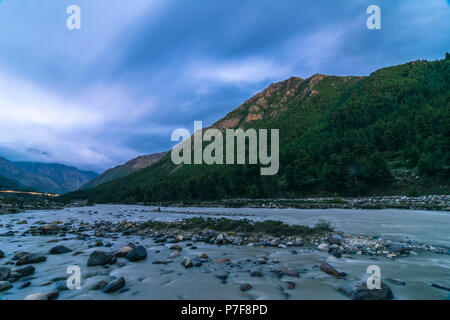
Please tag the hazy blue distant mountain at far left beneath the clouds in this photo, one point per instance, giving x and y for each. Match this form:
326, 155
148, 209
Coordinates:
45, 177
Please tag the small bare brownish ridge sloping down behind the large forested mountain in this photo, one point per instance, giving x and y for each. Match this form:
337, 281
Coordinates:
126, 169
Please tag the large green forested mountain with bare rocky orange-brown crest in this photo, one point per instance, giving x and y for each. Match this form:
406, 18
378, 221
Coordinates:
386, 133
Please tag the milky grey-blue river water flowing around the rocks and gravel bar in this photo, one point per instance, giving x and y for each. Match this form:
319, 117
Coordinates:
146, 280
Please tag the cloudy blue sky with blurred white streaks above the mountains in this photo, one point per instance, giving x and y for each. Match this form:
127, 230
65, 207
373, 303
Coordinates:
137, 70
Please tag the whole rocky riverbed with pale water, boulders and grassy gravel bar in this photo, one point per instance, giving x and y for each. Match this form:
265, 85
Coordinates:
134, 252
